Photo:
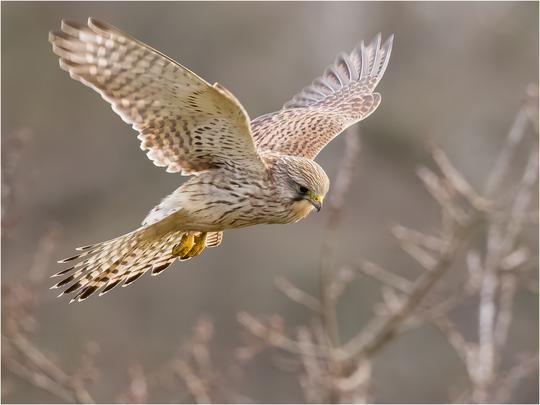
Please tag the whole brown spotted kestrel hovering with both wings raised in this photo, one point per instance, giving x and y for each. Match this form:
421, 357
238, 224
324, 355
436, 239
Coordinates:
243, 172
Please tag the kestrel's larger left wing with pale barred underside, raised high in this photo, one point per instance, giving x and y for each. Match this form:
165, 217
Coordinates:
184, 123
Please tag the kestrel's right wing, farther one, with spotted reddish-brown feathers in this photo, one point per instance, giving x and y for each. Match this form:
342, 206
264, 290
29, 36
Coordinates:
341, 97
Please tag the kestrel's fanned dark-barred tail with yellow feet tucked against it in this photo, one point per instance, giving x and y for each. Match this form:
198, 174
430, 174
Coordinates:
122, 260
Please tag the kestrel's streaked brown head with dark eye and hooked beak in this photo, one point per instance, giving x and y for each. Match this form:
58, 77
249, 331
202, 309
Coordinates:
301, 181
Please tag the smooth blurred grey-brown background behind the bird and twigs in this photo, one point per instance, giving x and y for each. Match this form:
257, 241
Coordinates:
457, 75
